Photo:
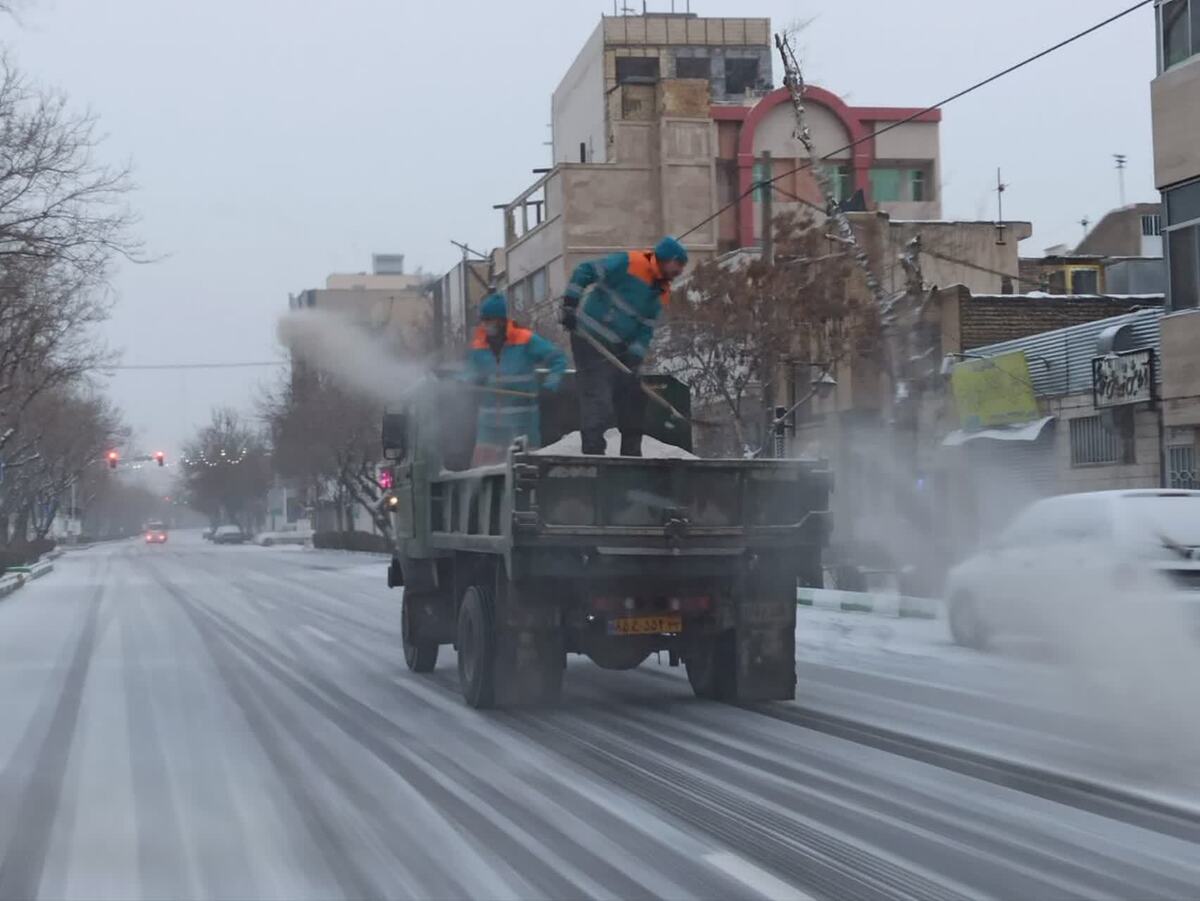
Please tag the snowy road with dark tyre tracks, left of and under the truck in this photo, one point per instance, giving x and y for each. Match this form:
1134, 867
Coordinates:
200, 722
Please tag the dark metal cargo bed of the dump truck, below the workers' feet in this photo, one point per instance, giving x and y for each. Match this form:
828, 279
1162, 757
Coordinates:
652, 506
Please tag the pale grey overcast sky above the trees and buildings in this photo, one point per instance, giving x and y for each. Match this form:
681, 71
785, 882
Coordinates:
278, 141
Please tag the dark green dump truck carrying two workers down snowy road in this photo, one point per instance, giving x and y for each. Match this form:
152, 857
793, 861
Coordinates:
616, 558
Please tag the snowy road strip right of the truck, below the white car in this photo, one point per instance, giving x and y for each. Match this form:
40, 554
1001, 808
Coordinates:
1019, 701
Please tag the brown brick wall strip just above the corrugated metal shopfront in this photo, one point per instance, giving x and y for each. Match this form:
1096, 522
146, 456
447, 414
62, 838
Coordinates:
992, 320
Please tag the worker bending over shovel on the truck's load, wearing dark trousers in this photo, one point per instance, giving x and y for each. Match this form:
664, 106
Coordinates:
627, 298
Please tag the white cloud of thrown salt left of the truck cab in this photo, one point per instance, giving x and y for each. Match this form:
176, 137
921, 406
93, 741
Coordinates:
350, 355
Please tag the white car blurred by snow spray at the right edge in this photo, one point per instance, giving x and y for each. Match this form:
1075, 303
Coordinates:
1081, 562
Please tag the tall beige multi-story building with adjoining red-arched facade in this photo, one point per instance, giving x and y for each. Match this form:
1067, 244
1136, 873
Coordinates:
665, 123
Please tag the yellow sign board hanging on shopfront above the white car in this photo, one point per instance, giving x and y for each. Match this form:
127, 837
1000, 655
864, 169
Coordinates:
995, 392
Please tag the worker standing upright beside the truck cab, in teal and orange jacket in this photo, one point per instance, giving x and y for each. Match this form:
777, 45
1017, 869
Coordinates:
506, 358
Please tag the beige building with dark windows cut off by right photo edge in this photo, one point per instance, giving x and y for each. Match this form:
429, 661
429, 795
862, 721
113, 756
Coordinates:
1175, 97
